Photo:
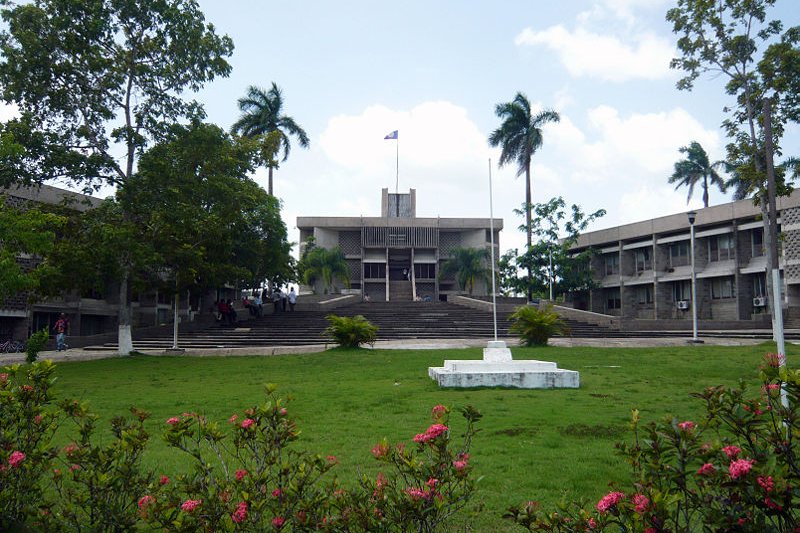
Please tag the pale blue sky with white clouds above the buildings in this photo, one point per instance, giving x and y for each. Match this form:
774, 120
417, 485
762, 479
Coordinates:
355, 70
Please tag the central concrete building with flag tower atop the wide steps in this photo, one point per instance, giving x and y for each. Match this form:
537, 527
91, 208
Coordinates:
398, 256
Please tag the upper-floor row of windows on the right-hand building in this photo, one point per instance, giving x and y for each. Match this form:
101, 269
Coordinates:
720, 248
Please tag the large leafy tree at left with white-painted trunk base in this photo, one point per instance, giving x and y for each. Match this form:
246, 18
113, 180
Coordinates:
96, 78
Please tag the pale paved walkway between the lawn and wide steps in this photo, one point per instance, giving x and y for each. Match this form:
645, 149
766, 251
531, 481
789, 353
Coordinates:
79, 354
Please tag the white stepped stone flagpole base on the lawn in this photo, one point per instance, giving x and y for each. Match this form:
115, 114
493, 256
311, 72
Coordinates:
498, 369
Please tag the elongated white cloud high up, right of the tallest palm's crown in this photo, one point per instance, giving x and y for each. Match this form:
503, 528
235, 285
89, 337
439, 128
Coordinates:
587, 54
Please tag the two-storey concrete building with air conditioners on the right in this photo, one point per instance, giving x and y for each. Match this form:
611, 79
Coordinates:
643, 270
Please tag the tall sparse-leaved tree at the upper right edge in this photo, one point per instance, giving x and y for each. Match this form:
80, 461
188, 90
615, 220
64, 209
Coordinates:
736, 40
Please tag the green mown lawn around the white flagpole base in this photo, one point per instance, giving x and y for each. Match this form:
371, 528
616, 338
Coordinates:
543, 445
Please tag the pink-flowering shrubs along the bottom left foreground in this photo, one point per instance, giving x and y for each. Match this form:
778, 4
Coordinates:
245, 475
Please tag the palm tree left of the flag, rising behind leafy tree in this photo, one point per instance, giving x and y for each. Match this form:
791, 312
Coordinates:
261, 115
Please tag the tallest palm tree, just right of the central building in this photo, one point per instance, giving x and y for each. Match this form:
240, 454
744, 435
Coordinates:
520, 135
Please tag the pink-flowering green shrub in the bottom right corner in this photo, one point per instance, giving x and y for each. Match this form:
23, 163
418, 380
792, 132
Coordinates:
737, 470
